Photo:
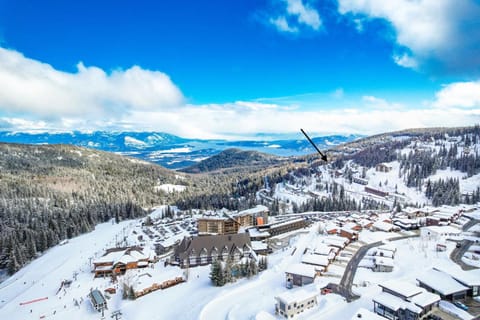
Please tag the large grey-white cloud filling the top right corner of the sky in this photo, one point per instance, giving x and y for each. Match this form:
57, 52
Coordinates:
435, 33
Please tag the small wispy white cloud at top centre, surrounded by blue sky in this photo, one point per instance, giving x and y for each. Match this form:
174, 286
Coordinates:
295, 15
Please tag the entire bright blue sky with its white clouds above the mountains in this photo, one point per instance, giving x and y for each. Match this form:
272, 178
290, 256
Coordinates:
236, 68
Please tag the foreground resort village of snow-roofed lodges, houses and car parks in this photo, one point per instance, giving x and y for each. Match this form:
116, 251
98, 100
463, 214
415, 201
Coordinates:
324, 251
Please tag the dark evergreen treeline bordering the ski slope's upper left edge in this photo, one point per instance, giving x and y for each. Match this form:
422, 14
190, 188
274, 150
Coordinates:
28, 230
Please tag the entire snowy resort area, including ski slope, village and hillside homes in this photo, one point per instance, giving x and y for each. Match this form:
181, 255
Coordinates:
405, 263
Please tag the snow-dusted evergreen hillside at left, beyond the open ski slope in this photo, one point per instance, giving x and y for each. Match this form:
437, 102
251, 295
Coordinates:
53, 192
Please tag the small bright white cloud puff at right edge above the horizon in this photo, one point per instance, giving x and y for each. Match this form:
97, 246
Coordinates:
459, 95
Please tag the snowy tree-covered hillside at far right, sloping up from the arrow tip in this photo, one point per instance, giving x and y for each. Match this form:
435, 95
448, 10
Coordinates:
421, 155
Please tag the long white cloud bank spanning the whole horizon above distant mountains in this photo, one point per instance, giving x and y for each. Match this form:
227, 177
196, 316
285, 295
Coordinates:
36, 96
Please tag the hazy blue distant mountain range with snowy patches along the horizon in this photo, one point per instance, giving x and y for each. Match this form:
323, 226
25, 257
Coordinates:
171, 151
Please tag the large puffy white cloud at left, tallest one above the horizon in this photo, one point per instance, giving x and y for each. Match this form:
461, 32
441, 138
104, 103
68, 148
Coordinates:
29, 86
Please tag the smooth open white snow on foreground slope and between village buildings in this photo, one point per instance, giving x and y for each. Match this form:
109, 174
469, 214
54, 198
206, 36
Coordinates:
197, 298
